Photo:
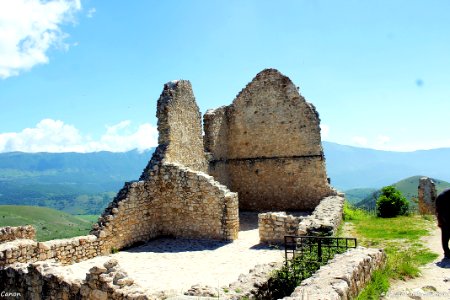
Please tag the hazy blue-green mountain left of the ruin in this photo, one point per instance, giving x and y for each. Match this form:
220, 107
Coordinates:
78, 183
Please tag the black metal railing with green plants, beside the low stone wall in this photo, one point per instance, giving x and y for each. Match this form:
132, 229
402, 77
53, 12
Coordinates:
314, 248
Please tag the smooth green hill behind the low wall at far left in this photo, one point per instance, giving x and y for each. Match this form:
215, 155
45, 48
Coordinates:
49, 223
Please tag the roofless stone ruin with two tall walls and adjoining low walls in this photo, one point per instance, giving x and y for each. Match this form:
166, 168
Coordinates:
261, 153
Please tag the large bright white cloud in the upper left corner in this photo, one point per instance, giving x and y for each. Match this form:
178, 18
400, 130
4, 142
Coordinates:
28, 29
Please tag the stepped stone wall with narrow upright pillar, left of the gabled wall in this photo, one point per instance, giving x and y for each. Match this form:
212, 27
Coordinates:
174, 196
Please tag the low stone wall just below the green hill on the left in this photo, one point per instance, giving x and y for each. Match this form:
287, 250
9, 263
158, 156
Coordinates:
65, 251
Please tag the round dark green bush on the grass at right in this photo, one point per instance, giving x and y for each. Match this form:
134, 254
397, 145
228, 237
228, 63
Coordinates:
391, 203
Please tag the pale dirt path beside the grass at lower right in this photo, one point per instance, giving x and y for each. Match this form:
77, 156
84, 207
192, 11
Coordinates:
434, 283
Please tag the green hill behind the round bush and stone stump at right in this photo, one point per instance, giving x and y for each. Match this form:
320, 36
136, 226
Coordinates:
407, 186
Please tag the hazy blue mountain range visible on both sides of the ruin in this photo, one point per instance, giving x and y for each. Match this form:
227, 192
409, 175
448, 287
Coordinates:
84, 183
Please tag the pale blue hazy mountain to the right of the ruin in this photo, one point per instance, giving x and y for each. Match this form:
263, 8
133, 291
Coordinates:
352, 167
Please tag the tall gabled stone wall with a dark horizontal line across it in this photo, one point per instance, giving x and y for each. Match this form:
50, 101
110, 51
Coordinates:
266, 146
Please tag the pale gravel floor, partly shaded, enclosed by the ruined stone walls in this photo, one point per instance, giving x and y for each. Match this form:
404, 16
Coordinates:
176, 264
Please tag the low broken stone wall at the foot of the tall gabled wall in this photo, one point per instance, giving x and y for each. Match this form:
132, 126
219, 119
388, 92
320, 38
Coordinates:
323, 221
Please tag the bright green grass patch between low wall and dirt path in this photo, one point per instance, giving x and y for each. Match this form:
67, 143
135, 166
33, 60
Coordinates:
400, 238
